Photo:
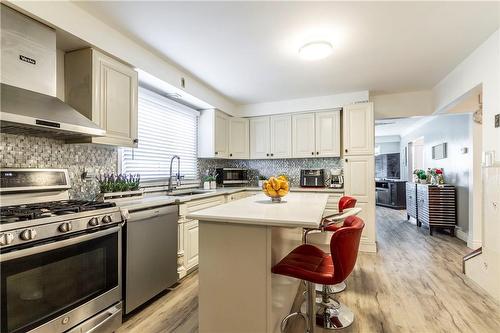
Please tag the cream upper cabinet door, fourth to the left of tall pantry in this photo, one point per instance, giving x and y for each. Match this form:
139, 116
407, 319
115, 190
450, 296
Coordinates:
260, 137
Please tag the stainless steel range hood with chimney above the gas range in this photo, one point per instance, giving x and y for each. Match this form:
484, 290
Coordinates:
28, 83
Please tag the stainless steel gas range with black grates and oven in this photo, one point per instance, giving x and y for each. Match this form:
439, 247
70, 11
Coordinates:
60, 259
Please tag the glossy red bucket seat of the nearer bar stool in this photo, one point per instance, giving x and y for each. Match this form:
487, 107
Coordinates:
309, 263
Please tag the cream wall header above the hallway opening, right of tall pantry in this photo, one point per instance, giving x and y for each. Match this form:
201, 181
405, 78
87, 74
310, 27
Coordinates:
401, 105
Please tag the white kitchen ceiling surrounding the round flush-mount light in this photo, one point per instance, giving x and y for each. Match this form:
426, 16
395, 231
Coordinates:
248, 50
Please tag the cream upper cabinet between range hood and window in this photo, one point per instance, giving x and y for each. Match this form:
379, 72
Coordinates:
105, 91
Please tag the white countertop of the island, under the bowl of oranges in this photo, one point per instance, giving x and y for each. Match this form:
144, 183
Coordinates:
297, 209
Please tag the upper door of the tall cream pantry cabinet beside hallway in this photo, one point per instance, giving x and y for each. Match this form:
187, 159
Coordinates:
358, 129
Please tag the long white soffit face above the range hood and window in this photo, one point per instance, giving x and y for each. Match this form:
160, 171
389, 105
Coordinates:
67, 16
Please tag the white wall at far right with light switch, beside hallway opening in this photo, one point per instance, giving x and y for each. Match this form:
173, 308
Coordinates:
482, 67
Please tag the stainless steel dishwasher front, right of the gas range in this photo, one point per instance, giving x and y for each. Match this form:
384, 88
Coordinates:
150, 253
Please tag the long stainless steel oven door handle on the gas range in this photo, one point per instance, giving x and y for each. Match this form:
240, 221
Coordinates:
56, 245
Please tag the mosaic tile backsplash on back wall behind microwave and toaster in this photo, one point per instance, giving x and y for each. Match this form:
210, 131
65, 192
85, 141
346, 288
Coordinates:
269, 167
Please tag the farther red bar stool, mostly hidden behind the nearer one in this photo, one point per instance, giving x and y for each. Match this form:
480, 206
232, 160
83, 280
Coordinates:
312, 236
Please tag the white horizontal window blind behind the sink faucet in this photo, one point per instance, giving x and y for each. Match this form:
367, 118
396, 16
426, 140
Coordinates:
165, 129
